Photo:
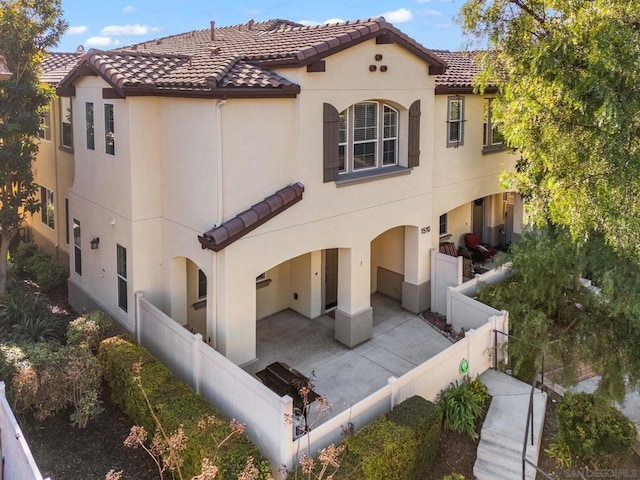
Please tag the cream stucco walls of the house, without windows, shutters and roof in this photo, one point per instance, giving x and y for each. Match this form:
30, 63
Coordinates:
184, 165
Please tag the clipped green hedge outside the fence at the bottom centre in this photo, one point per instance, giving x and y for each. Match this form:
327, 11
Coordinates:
401, 445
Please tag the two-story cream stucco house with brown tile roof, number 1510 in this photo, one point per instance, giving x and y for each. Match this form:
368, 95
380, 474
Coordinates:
230, 173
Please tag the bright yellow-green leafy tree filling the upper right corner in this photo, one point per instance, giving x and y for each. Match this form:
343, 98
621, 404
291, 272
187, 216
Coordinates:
569, 72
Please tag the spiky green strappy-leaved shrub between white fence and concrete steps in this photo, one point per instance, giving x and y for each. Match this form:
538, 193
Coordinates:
462, 405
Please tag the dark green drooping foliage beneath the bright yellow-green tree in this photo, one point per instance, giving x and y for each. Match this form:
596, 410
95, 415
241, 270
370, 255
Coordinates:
551, 310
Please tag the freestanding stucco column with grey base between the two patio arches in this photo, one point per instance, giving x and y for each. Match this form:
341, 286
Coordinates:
354, 315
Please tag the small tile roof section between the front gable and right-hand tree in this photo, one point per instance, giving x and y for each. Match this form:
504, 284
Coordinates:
463, 67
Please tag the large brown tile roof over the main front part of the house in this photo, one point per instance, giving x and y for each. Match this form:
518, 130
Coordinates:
235, 59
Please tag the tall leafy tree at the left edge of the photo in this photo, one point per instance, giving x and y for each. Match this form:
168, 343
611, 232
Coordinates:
28, 29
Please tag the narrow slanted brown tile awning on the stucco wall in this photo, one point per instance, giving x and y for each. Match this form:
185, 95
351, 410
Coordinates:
220, 237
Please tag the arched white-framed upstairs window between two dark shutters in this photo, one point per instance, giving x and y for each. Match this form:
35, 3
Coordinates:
367, 137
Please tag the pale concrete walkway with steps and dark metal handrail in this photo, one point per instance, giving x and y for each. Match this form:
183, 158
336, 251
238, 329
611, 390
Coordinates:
501, 440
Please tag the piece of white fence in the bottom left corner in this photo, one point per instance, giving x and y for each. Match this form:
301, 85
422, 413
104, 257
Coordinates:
17, 461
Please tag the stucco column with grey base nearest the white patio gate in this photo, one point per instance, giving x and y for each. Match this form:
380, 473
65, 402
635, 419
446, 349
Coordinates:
416, 287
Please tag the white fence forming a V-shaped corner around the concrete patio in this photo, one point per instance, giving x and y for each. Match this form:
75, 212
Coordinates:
238, 395
